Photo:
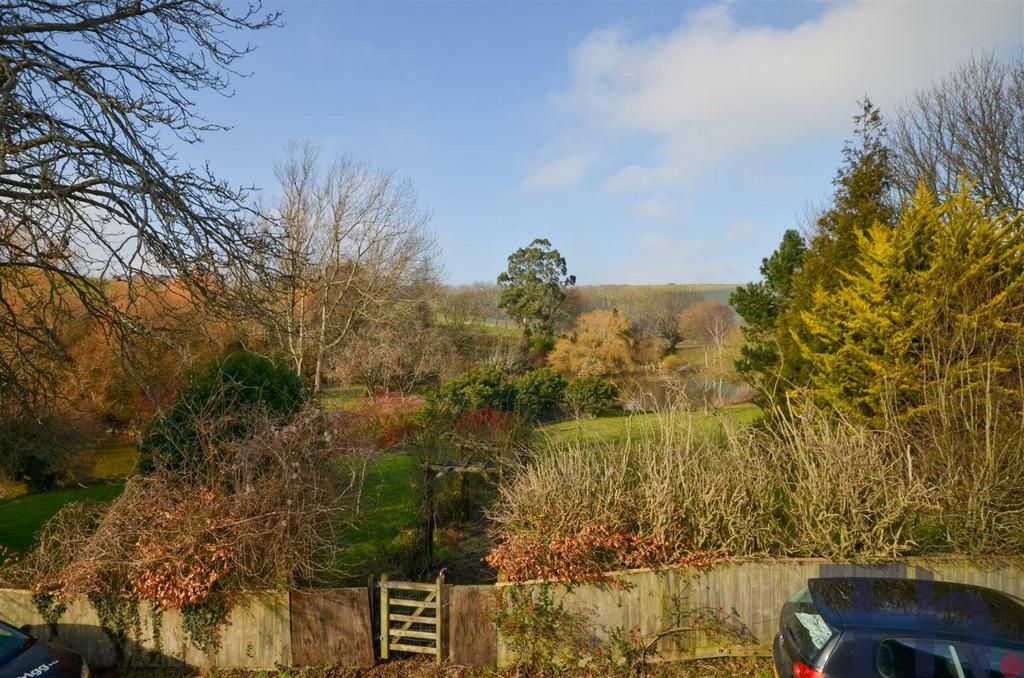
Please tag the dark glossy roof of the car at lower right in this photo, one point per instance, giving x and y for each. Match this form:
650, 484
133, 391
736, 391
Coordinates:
921, 607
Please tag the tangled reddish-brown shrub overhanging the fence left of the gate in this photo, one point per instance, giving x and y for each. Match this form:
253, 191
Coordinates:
265, 516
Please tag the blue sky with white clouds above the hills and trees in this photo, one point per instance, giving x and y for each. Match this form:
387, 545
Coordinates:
651, 143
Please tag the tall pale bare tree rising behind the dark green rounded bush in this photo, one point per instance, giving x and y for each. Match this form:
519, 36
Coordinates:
357, 244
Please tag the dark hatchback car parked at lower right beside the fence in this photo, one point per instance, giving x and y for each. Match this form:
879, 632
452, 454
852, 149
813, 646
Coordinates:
899, 628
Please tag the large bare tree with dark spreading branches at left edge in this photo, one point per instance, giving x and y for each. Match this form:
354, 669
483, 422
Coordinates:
92, 94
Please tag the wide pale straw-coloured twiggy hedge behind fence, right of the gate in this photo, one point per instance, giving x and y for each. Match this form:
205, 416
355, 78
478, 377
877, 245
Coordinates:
814, 487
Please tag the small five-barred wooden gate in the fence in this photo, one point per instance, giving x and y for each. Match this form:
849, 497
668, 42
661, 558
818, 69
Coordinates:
412, 617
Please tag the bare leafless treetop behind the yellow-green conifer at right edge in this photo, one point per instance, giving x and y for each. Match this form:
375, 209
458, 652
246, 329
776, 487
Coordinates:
970, 124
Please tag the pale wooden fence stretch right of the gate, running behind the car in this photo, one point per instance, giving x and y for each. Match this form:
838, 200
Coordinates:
747, 598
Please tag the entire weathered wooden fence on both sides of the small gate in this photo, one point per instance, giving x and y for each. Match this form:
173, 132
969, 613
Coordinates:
337, 626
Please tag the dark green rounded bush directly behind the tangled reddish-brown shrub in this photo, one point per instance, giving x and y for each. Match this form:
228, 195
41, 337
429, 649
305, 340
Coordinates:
239, 384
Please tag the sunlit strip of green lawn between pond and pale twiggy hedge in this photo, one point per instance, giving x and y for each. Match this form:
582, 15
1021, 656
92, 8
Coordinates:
619, 428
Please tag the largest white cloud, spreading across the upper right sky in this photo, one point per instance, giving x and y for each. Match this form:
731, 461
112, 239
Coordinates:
712, 91
